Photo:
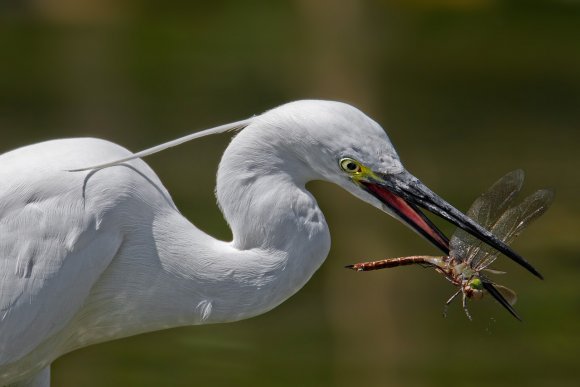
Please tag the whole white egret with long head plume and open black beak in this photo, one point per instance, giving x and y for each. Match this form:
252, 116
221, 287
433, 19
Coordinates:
96, 255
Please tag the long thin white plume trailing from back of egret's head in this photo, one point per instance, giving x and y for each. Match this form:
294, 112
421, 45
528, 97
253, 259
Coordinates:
170, 144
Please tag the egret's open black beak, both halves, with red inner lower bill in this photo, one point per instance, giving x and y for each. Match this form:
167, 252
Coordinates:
402, 193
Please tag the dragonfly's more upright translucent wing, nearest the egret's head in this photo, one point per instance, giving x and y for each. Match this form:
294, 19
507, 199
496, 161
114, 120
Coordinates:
486, 210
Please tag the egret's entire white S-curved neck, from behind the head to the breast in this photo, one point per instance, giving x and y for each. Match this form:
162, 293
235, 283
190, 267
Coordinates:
280, 239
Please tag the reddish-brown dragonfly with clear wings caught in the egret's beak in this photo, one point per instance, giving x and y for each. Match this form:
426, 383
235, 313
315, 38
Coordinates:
467, 265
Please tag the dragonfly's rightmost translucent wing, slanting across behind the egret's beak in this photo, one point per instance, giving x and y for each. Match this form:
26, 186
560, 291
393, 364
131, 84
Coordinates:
512, 223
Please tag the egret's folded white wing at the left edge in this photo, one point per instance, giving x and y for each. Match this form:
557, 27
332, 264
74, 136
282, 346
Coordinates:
47, 269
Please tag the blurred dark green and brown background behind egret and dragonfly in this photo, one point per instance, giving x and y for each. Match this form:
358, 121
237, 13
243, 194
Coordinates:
467, 90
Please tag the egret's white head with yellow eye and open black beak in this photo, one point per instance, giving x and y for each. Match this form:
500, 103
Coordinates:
340, 144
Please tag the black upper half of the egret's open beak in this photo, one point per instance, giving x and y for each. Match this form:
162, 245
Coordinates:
413, 191
